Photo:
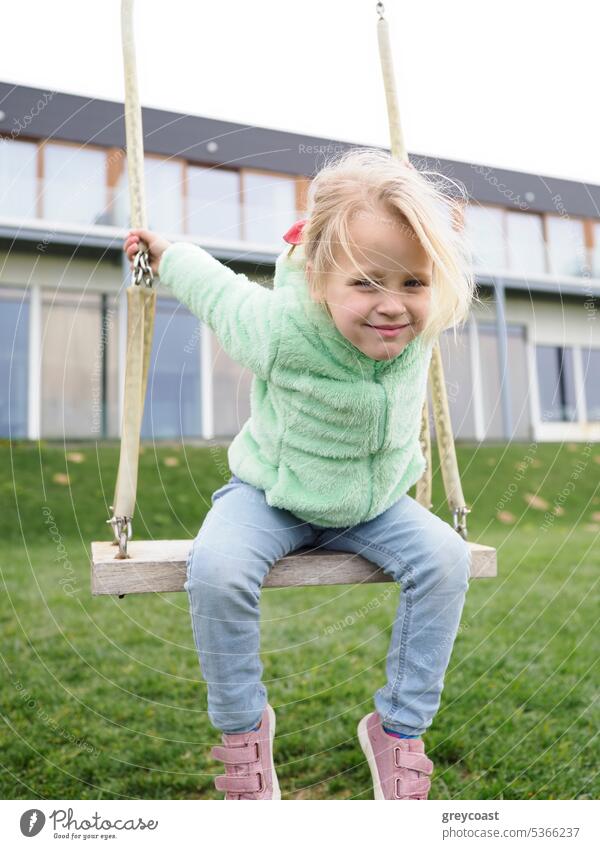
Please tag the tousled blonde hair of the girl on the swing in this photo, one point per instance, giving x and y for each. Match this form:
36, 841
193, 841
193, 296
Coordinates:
363, 179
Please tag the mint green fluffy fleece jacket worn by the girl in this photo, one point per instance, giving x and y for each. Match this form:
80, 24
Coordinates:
333, 434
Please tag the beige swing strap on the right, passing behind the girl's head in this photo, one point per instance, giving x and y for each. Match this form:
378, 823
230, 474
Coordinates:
441, 412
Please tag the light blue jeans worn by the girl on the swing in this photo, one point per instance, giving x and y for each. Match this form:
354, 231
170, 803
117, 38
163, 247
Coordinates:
242, 537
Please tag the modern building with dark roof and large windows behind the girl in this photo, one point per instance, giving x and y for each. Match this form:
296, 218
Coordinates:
526, 367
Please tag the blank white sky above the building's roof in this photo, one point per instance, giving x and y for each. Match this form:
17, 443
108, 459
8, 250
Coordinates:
511, 84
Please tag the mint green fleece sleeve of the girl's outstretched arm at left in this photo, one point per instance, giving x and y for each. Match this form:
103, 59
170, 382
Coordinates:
241, 313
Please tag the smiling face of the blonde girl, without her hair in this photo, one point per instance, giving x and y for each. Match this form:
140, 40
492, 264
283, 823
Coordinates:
389, 251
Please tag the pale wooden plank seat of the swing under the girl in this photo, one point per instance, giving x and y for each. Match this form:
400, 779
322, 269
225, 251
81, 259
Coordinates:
159, 566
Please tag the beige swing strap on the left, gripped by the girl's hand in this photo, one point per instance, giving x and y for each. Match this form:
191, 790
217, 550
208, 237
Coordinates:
141, 303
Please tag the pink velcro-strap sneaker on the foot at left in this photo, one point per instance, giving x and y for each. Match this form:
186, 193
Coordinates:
248, 757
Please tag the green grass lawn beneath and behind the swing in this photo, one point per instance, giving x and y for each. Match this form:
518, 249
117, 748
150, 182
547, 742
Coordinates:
103, 698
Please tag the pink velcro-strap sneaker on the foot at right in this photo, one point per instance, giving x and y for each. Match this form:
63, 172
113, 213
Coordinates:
397, 765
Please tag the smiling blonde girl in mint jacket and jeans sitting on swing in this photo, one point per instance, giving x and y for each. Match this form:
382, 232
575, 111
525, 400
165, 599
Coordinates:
340, 351
